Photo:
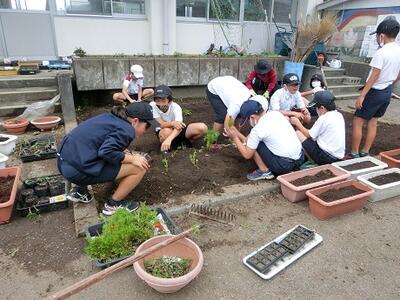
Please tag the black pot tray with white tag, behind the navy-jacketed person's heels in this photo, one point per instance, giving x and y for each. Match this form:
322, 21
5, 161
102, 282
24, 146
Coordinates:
56, 202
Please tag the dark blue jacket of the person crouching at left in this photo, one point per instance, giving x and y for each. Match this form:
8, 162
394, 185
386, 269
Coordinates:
97, 141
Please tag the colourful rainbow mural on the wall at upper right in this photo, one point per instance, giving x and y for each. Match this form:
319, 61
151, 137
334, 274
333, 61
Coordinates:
352, 37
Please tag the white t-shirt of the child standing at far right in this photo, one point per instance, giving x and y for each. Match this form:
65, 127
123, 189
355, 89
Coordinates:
386, 59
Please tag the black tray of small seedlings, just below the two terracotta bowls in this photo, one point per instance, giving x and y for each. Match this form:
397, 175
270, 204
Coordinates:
39, 148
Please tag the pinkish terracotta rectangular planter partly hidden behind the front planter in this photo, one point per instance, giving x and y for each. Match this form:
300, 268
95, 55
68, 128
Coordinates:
298, 193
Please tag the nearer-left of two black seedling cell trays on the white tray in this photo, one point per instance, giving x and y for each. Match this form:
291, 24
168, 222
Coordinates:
266, 257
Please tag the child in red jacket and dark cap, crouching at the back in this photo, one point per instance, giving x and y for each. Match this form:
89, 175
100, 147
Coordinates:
262, 80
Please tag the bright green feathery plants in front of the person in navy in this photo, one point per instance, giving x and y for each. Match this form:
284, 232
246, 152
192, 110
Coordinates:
121, 232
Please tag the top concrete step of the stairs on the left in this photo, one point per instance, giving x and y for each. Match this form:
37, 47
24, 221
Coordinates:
27, 82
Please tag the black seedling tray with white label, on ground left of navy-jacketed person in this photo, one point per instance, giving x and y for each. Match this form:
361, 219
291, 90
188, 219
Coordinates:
58, 199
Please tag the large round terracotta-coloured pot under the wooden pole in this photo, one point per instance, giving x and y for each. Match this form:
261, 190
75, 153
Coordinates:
184, 248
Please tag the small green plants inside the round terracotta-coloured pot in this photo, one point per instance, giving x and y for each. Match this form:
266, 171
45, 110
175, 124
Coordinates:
168, 266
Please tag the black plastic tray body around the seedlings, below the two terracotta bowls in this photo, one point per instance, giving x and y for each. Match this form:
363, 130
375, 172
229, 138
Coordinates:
51, 152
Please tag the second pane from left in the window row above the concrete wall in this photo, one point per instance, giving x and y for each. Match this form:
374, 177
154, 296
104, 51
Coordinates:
227, 10
